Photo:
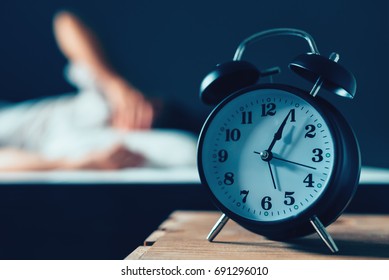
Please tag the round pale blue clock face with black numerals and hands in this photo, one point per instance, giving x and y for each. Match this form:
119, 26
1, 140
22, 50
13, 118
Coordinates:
267, 155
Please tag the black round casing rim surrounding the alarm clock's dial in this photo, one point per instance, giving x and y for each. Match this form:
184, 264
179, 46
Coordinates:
339, 190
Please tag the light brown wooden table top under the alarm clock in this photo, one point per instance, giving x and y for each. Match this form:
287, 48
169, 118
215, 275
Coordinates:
182, 236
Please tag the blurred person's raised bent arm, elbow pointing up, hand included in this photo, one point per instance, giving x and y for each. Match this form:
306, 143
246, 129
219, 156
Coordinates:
78, 43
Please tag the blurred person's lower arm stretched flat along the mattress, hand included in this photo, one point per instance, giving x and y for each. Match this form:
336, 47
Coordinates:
118, 157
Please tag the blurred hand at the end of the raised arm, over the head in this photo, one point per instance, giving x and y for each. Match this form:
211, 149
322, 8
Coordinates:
130, 109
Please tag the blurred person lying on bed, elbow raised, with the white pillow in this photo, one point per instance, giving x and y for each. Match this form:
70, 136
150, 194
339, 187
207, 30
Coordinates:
105, 125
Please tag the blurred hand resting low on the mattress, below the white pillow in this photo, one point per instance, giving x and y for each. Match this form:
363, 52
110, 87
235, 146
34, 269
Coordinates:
117, 157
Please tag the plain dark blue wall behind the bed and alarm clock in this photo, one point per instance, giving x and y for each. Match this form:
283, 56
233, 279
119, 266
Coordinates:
166, 47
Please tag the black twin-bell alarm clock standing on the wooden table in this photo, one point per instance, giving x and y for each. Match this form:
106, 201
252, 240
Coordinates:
279, 160
